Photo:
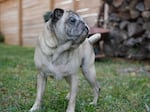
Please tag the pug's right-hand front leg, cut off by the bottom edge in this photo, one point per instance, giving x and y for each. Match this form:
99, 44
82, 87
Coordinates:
73, 93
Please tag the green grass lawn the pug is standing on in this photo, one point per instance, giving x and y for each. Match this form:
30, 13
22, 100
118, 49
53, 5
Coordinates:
121, 92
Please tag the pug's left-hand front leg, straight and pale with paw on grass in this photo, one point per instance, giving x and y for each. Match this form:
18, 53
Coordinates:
41, 83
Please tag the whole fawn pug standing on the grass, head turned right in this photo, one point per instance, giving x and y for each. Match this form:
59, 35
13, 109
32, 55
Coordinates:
62, 48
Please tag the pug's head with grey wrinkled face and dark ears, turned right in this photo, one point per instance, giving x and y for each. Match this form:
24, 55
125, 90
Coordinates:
67, 25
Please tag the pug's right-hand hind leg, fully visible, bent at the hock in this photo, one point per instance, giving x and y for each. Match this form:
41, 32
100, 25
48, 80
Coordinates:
89, 72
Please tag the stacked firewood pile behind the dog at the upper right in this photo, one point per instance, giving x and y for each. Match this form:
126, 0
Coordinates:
129, 24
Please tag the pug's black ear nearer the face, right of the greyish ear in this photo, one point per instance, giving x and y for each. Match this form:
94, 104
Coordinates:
57, 14
